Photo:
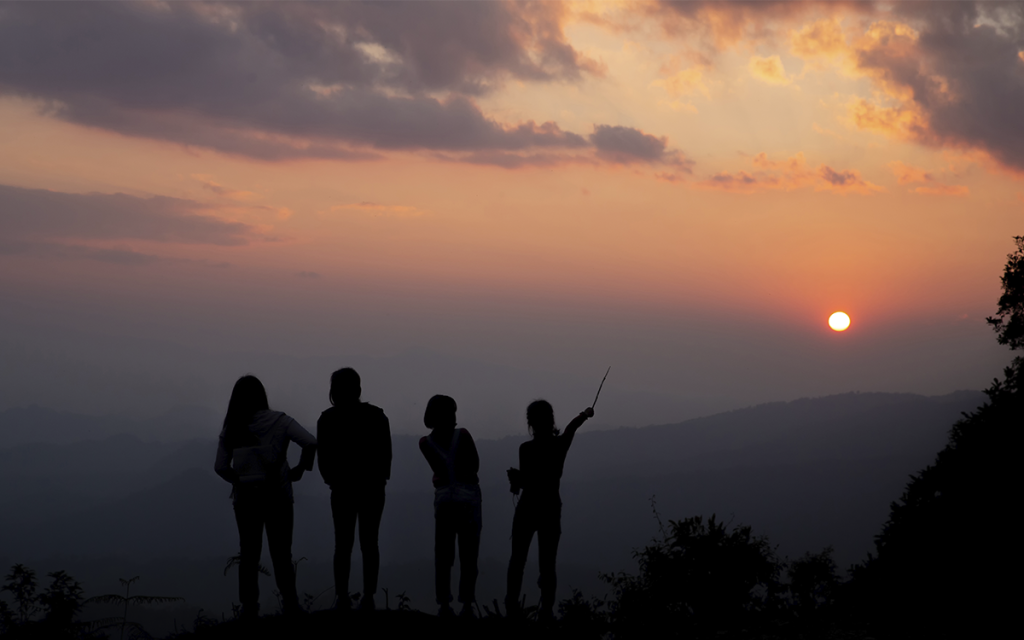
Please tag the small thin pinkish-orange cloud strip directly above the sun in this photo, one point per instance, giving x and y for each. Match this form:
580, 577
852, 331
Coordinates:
790, 175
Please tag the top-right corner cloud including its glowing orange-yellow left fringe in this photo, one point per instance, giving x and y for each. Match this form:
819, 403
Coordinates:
945, 74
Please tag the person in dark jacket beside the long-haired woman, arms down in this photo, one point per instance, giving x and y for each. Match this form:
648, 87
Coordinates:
355, 443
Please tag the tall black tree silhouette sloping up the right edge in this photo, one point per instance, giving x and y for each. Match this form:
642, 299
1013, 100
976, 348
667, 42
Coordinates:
950, 546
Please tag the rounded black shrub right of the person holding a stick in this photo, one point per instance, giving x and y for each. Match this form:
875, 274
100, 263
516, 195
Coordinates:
698, 580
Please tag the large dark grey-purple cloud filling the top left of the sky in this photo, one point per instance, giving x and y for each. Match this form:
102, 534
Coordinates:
290, 80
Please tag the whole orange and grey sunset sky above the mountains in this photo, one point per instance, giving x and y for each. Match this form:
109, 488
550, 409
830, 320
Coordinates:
684, 191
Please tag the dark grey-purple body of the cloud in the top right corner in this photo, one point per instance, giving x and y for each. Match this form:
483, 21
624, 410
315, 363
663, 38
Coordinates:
966, 74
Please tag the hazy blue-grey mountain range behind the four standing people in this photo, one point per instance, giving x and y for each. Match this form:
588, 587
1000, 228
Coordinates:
807, 474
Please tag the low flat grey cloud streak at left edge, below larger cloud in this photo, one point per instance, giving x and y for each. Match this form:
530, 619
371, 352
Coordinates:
32, 216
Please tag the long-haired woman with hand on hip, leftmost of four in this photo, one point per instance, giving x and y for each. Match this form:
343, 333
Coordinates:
252, 455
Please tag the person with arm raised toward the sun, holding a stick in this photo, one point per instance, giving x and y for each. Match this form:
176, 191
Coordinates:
540, 508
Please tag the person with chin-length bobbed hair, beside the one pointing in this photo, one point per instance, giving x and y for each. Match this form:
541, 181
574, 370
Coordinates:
454, 460
